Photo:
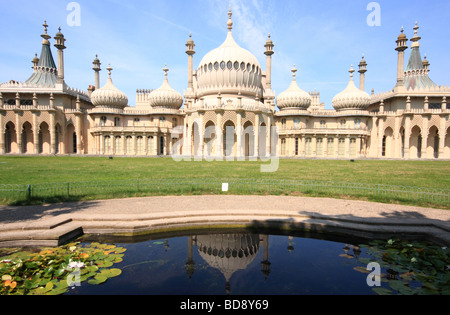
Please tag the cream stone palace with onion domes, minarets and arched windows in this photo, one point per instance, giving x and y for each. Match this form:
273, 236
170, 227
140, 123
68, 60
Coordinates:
228, 110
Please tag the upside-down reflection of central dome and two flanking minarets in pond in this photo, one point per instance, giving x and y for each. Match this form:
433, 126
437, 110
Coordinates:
229, 253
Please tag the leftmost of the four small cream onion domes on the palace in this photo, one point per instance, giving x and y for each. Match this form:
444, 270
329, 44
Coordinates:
109, 95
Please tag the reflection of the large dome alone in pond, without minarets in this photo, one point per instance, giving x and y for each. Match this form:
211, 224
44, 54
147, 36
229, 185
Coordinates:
228, 252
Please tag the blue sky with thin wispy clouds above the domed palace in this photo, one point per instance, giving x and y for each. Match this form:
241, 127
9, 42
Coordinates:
323, 38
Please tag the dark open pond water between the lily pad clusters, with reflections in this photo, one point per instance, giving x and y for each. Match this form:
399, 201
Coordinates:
235, 263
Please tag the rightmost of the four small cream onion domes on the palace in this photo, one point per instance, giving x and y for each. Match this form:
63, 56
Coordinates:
351, 97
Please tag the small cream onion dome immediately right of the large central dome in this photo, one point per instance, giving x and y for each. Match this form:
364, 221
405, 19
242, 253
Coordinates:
294, 97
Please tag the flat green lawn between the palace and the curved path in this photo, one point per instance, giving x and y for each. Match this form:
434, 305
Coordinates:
150, 176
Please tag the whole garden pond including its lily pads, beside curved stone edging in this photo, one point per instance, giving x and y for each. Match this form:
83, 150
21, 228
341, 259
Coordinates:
230, 263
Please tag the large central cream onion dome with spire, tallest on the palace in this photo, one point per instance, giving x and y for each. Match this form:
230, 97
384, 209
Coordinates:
229, 69
